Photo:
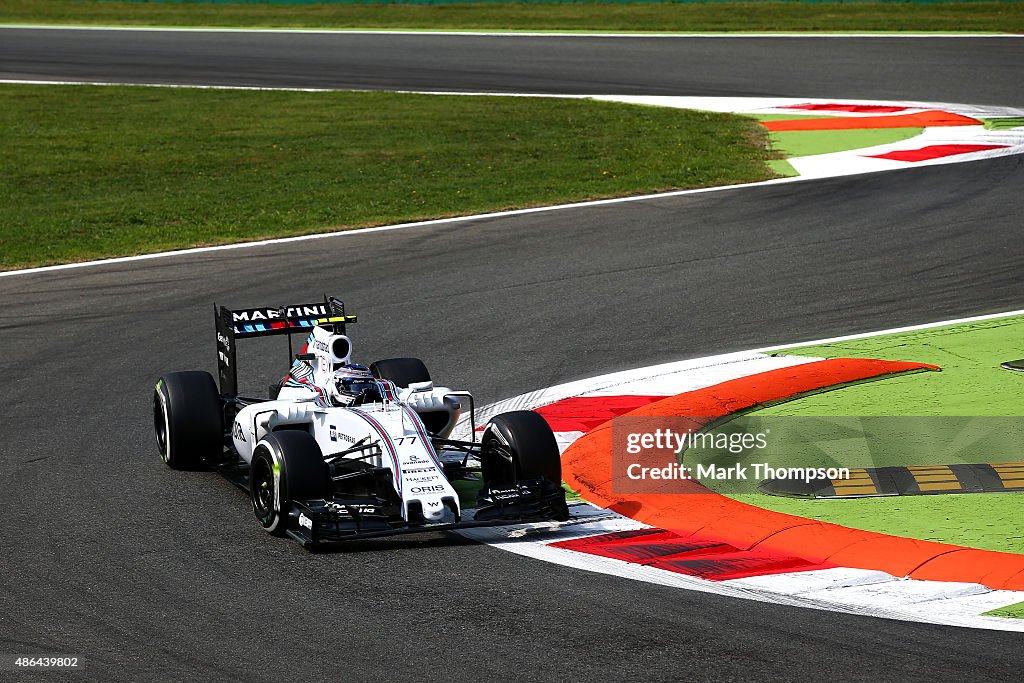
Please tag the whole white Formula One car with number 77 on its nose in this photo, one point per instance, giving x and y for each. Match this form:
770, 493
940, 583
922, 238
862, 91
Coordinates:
342, 451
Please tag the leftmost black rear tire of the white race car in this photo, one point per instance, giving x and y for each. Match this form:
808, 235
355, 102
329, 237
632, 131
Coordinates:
188, 419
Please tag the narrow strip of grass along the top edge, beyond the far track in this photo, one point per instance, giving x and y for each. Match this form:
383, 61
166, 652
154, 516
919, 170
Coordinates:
986, 17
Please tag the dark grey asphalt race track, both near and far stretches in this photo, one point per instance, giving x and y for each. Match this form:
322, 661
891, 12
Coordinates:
152, 574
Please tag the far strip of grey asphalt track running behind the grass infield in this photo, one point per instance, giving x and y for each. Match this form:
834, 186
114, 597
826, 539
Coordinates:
977, 71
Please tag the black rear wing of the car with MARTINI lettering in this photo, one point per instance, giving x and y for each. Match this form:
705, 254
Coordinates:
270, 321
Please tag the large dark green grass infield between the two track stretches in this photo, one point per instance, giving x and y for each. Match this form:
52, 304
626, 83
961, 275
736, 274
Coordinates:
94, 173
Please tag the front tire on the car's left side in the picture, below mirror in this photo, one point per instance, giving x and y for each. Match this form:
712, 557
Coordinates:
287, 466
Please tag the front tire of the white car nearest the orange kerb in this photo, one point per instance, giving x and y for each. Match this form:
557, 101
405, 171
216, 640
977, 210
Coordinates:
519, 447
